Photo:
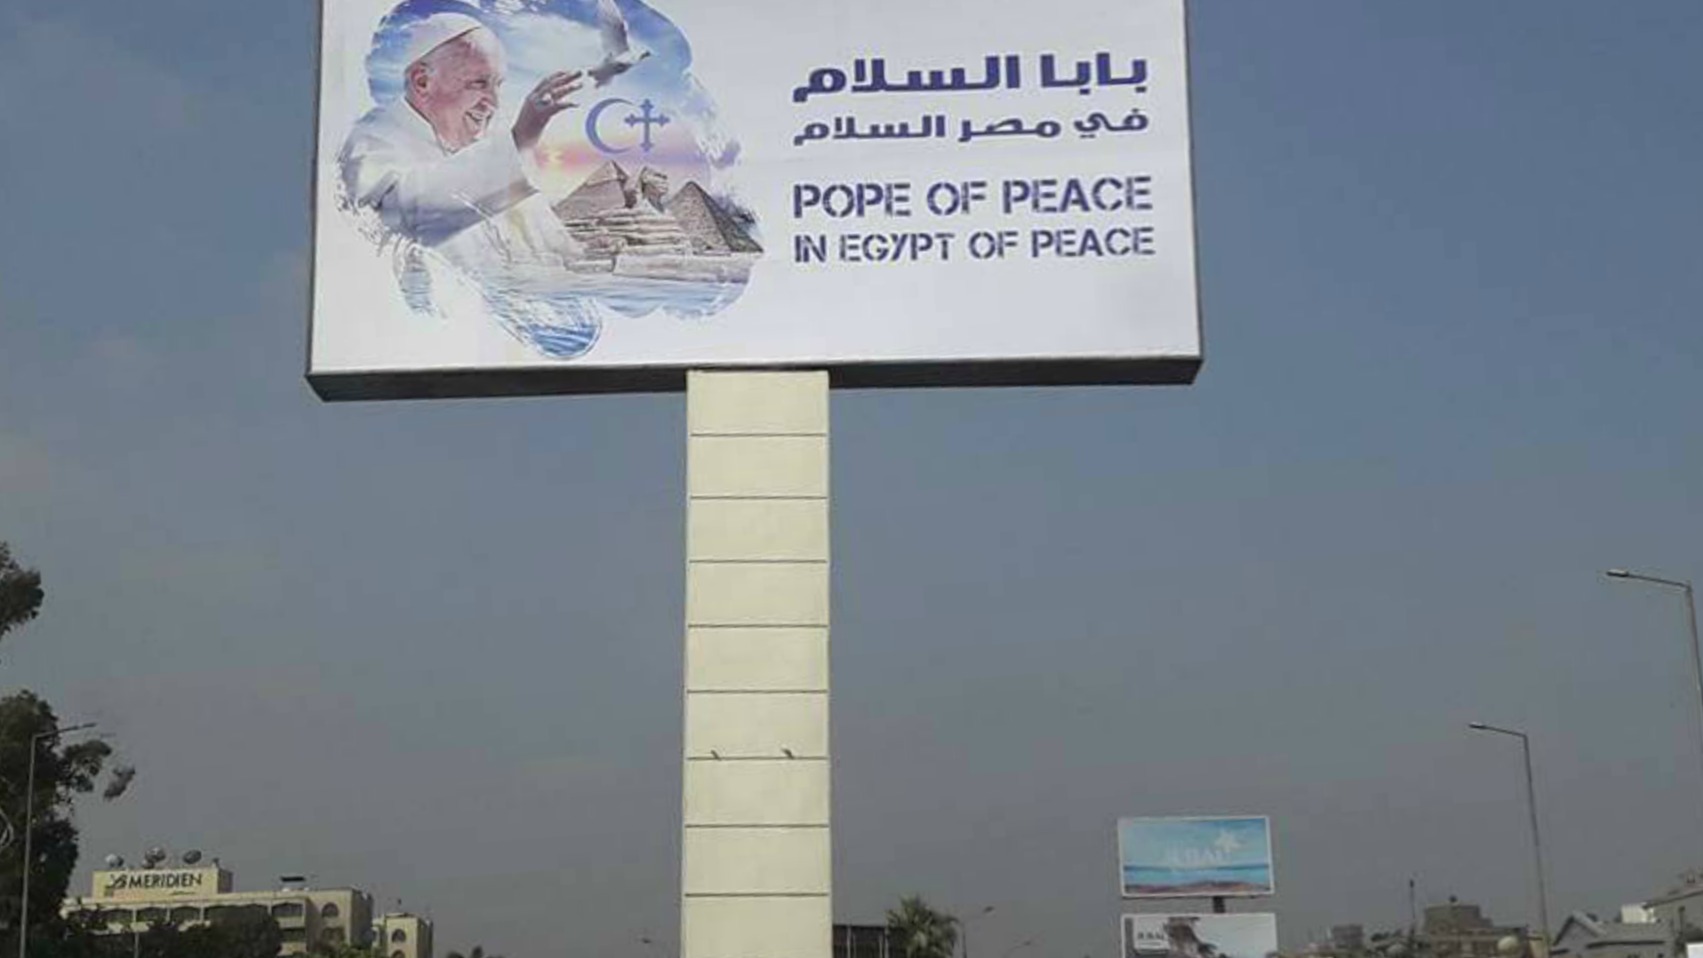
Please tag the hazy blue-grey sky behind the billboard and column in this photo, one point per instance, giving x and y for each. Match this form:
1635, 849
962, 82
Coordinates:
1454, 285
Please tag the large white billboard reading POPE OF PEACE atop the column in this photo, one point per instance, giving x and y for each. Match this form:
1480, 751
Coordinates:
532, 197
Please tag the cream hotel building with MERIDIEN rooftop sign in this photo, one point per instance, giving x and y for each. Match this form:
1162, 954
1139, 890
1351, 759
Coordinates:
132, 901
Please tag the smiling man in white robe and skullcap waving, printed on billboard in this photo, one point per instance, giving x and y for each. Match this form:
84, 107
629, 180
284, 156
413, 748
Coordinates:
433, 171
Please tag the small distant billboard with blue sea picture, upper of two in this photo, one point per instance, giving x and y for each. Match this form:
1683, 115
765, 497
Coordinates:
1196, 858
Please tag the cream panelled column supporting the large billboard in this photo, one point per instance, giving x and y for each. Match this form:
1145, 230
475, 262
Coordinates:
757, 862
